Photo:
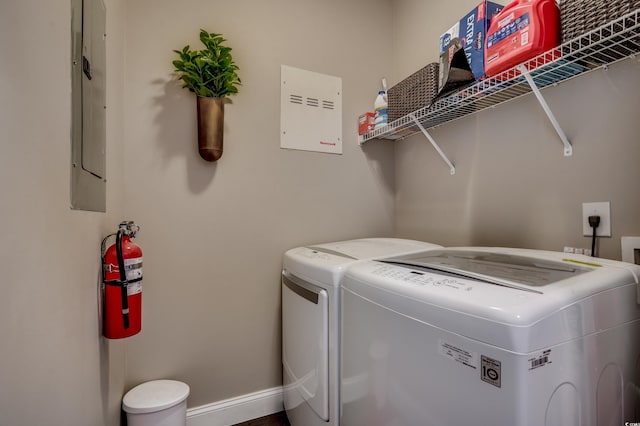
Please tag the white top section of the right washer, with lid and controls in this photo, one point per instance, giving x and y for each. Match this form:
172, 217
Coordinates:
520, 300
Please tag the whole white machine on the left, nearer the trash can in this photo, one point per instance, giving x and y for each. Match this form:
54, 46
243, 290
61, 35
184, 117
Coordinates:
311, 324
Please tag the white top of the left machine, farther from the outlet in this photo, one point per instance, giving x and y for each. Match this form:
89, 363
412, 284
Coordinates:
324, 264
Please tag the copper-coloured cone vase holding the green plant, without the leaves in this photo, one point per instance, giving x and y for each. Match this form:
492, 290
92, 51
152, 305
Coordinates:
210, 127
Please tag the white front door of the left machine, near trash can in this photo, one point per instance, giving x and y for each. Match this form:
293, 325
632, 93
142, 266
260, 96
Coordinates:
305, 345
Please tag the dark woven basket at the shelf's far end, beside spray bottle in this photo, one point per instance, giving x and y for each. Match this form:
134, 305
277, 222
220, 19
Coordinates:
414, 92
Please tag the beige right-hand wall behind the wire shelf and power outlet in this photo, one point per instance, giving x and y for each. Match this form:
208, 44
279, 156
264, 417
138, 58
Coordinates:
513, 186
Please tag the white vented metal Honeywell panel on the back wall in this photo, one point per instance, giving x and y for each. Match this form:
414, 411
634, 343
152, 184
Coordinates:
310, 111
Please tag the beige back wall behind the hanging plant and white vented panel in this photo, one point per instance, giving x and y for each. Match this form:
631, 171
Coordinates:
213, 235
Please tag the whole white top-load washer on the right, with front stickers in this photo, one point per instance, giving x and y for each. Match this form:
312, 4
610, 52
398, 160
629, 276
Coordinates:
490, 337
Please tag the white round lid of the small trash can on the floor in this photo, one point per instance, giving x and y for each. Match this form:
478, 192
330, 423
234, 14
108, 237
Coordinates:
154, 396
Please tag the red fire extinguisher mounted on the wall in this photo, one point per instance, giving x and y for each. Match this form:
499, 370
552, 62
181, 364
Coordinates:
122, 284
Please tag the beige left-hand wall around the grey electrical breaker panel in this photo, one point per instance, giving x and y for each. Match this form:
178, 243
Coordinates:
55, 369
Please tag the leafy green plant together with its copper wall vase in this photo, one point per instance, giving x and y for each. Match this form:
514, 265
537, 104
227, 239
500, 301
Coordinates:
210, 74
